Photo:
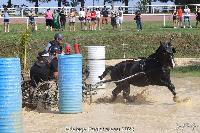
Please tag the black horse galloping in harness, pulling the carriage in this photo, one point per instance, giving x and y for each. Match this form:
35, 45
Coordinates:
153, 70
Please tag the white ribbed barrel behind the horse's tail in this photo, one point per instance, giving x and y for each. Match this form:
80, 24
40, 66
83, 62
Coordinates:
96, 63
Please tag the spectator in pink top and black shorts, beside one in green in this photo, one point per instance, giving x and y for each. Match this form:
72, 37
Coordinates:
49, 19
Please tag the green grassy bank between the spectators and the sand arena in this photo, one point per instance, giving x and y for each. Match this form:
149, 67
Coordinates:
140, 44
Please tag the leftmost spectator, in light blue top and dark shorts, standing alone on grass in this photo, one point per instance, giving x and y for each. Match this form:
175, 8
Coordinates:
6, 20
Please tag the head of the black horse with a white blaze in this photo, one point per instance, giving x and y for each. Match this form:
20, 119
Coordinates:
165, 54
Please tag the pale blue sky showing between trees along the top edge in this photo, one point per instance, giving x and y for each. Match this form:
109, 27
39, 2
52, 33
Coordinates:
54, 3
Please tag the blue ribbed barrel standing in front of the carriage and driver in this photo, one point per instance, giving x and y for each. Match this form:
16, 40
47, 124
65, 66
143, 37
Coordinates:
70, 83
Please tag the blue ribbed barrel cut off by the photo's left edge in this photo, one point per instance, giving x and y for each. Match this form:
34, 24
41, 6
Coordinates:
10, 96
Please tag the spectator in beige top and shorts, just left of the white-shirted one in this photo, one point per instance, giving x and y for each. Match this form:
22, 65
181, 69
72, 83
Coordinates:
72, 19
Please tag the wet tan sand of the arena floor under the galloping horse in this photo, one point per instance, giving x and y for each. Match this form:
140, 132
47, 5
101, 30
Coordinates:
153, 111
